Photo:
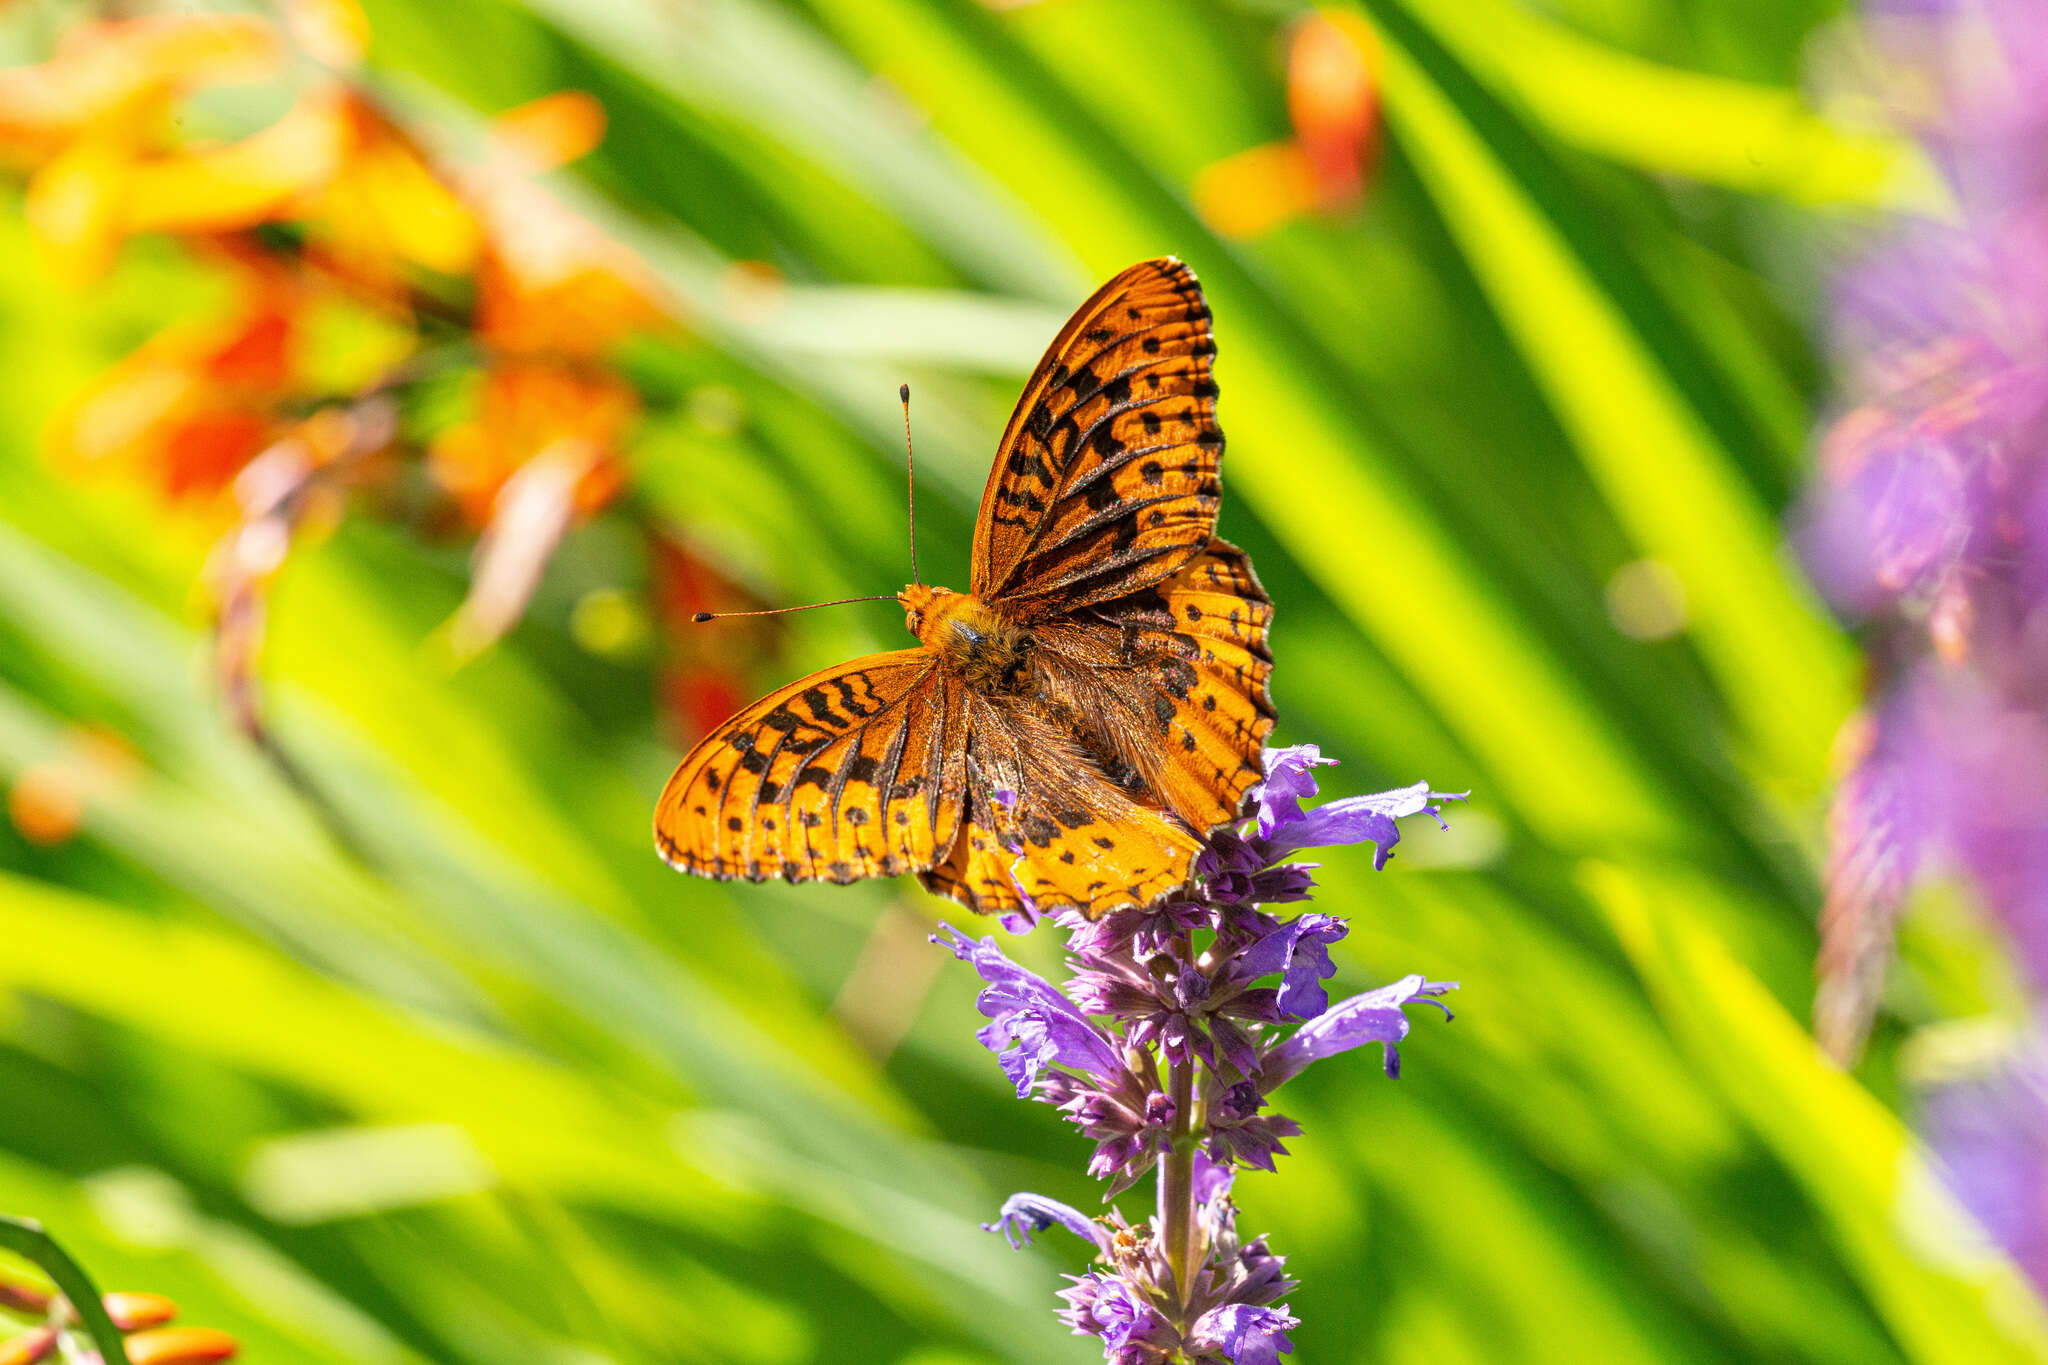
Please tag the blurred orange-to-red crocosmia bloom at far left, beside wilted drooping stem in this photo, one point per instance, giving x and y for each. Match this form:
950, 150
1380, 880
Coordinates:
198, 402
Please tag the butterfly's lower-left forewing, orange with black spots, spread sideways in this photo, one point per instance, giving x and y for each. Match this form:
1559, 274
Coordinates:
845, 775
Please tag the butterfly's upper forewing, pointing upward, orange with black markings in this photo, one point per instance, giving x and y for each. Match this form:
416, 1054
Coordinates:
1105, 482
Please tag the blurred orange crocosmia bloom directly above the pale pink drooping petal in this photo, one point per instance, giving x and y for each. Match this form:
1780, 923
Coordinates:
525, 408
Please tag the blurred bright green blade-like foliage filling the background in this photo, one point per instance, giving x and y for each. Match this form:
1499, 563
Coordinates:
509, 1090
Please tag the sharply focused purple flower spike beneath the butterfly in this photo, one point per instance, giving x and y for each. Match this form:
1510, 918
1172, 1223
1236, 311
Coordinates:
1162, 1051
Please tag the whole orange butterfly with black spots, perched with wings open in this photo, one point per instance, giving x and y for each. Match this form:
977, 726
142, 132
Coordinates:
1066, 732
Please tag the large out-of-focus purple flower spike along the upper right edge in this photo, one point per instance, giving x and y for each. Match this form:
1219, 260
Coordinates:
1928, 519
